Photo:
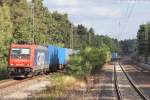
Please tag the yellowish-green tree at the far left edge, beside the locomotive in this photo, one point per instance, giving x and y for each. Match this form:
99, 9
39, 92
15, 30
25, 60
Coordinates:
5, 30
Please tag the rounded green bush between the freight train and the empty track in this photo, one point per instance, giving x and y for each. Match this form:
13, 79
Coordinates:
89, 58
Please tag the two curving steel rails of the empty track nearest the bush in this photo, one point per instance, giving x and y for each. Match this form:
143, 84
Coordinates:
131, 83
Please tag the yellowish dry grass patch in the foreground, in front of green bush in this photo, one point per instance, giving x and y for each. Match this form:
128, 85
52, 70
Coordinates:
61, 85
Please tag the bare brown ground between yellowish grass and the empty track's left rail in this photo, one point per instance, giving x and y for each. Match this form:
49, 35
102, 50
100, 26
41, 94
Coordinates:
99, 86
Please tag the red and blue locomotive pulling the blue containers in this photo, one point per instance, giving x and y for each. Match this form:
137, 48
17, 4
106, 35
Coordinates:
27, 59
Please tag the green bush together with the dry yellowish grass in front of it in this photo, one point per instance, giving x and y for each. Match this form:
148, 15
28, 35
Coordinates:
80, 69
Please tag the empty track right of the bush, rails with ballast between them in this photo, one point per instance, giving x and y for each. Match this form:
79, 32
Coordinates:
136, 92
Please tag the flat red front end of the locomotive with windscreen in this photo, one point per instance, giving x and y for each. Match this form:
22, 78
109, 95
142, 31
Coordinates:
20, 60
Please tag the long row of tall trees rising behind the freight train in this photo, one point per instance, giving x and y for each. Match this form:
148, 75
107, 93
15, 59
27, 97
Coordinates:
32, 22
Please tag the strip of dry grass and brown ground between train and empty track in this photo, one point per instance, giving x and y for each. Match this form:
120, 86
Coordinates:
98, 85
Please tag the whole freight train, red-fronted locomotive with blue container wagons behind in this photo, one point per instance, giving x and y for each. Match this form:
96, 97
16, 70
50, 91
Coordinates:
29, 59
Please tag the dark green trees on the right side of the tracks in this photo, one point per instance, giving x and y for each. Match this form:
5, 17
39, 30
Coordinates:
139, 46
